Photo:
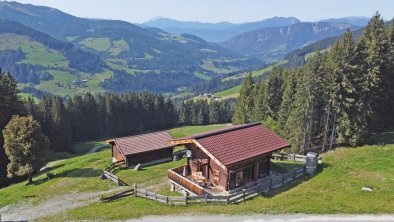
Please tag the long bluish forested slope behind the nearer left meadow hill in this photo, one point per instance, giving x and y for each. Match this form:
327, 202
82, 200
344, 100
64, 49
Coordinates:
139, 58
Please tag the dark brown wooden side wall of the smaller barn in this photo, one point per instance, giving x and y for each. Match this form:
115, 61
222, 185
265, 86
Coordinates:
149, 156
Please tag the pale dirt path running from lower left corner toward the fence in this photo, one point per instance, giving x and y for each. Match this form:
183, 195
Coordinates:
26, 211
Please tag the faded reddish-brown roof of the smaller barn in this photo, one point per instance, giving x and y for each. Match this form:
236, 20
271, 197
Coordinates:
144, 142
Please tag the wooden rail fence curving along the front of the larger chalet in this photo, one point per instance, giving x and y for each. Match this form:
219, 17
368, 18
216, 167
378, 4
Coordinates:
240, 196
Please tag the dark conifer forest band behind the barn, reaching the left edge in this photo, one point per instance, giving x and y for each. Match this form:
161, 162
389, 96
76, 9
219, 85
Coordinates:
87, 117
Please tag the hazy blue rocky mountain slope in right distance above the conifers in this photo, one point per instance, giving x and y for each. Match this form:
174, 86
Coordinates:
271, 44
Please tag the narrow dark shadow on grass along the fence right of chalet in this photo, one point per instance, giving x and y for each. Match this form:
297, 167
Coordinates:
290, 185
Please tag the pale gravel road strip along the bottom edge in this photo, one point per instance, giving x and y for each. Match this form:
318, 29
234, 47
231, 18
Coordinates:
276, 218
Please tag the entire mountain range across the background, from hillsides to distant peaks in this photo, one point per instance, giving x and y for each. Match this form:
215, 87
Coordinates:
49, 51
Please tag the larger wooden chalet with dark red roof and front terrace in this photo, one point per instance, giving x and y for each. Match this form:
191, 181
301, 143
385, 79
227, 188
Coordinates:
225, 159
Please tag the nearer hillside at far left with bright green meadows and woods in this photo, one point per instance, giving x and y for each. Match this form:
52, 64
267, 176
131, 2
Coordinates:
41, 63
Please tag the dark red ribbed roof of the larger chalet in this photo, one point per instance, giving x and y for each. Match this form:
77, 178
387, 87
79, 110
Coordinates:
235, 144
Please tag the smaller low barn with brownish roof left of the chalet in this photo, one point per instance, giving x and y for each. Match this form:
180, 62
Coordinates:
144, 149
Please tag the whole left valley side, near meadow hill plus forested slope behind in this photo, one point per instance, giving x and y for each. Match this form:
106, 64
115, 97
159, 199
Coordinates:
104, 55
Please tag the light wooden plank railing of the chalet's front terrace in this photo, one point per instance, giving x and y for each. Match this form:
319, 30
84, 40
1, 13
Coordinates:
175, 176
